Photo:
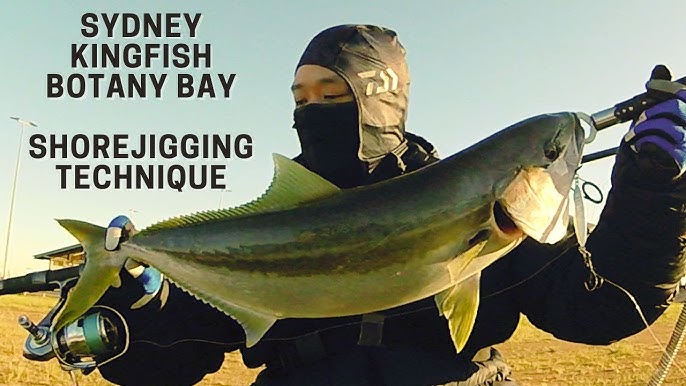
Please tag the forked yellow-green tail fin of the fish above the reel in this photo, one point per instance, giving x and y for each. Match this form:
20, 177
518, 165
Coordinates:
101, 271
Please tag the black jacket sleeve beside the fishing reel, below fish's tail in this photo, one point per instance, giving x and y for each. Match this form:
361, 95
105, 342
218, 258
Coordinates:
172, 342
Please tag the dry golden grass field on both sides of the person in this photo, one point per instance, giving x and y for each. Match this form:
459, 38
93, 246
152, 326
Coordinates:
538, 359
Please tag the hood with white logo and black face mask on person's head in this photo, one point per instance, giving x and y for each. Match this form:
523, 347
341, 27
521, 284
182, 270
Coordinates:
372, 61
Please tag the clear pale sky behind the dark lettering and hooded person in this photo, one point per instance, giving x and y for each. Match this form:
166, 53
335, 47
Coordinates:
476, 67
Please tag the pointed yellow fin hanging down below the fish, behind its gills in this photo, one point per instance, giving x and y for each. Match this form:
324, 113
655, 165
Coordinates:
459, 305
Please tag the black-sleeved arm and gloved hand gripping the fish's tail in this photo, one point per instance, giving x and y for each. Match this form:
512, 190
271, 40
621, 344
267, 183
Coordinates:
199, 337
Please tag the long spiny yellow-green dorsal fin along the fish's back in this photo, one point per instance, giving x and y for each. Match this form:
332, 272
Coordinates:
292, 185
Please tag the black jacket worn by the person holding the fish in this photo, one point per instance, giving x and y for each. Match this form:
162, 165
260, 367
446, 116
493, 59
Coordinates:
637, 245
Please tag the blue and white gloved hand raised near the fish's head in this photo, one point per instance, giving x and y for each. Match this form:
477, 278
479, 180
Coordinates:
658, 136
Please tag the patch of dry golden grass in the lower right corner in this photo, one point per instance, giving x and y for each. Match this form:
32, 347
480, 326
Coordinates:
538, 359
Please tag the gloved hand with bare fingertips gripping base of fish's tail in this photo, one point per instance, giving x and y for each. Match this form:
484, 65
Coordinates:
151, 280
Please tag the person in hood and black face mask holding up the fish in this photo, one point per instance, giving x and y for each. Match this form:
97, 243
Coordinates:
351, 94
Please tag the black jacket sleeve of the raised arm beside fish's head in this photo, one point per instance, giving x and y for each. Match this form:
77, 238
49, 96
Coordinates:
638, 247
